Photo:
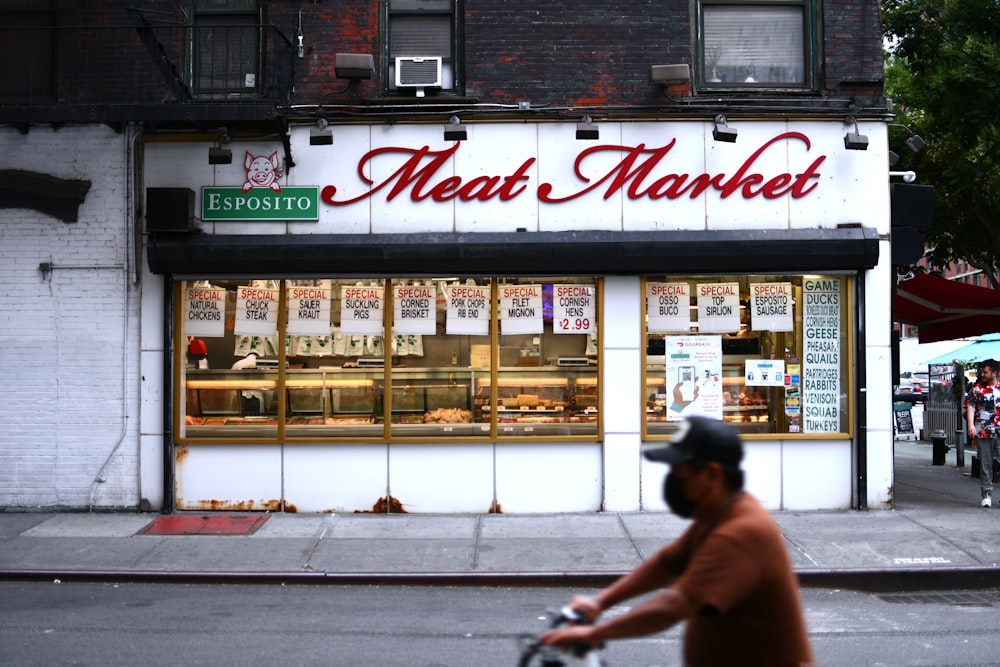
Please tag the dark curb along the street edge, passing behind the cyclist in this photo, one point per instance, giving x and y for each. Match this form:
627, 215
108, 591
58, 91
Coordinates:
867, 580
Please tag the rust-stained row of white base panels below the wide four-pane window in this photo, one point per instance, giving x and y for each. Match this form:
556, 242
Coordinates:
426, 478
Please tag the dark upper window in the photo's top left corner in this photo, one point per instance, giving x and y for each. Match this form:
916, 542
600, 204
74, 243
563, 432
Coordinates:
27, 51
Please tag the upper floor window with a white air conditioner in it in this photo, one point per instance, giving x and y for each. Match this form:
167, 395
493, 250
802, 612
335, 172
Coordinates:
422, 46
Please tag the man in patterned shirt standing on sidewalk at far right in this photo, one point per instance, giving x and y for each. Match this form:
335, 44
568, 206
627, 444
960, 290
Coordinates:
982, 419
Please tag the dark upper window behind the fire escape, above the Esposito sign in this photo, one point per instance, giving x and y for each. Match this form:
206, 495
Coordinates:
226, 48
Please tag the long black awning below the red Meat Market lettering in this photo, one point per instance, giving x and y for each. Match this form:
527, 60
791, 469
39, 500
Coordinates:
511, 254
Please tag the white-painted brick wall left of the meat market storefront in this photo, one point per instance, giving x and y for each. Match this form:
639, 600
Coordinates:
68, 346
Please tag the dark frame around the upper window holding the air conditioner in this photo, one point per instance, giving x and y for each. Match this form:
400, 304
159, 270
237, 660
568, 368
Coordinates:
456, 55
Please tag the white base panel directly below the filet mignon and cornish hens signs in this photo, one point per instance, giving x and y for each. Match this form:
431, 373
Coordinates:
540, 478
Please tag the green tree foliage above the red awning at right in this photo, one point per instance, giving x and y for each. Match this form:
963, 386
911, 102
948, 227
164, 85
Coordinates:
943, 74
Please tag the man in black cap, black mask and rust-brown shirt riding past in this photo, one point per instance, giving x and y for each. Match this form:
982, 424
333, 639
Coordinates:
728, 575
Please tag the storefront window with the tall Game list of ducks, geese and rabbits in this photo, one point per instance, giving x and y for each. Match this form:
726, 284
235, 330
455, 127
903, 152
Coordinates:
769, 354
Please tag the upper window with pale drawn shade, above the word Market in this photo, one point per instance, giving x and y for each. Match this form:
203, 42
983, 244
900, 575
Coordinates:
756, 44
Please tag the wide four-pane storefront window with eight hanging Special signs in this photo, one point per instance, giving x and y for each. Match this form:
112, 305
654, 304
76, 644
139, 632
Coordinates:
311, 358
